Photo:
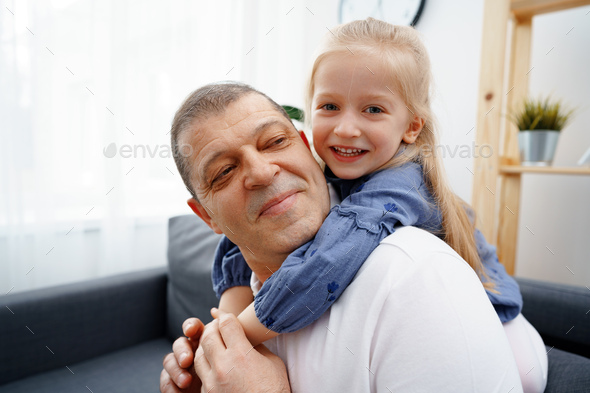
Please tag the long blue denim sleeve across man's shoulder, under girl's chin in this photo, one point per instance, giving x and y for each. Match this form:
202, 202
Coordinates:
316, 274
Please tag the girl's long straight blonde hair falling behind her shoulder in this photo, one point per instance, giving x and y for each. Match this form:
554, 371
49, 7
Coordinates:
402, 50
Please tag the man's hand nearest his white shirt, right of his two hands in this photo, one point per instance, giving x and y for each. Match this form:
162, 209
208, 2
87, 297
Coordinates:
226, 361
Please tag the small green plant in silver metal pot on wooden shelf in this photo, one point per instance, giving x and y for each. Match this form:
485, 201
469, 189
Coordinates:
539, 122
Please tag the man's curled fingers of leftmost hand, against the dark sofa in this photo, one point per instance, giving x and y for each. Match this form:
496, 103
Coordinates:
178, 374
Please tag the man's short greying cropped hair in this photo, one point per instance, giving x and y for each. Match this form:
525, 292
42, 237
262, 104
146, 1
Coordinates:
207, 101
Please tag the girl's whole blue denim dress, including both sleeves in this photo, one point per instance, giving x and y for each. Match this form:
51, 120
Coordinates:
316, 274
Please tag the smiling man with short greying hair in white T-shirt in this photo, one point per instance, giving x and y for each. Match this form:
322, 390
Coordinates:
415, 318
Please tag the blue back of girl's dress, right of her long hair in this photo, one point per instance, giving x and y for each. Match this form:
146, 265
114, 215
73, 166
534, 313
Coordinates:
508, 302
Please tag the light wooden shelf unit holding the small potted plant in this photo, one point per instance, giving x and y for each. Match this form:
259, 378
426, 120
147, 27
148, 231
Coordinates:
496, 185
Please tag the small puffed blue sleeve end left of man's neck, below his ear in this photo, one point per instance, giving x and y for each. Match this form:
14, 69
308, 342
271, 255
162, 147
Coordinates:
229, 267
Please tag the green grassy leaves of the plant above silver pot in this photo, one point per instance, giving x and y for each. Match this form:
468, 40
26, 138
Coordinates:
541, 114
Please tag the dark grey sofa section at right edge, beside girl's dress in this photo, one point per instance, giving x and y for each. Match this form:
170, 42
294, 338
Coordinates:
560, 313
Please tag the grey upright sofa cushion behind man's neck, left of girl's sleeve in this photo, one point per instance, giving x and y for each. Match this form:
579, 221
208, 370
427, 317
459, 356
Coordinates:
191, 247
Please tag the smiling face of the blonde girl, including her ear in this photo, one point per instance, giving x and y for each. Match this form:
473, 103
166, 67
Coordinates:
358, 121
